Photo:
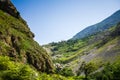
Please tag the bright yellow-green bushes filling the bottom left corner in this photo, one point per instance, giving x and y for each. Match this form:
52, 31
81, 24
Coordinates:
15, 71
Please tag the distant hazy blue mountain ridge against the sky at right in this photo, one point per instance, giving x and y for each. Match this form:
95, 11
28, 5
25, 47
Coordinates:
103, 25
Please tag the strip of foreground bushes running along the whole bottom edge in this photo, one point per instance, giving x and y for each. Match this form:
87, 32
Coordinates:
10, 70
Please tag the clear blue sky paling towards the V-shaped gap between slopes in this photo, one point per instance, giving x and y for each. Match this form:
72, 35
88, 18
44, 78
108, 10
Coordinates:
57, 20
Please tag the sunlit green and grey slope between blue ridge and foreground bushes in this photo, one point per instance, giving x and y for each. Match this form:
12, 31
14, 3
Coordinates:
99, 48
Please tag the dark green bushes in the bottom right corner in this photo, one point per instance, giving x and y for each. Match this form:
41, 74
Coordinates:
110, 72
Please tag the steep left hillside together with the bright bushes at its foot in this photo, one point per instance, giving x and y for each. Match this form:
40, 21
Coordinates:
22, 58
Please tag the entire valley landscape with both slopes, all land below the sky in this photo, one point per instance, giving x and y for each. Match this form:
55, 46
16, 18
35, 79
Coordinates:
92, 54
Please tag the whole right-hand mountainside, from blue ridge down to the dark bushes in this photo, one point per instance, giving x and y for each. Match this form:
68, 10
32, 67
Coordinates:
95, 55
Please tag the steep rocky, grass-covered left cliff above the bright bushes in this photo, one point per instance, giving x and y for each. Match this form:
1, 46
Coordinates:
16, 39
